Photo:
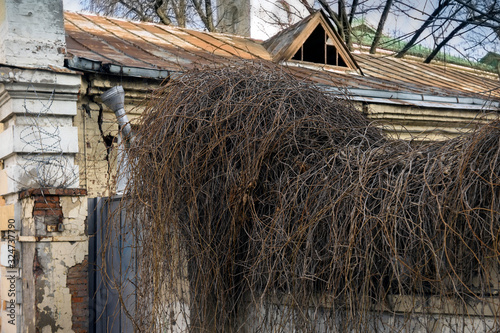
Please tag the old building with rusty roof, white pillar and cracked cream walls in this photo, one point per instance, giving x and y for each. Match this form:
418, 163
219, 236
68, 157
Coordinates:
58, 140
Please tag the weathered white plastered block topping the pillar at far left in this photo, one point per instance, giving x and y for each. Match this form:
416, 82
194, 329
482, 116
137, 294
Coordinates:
32, 33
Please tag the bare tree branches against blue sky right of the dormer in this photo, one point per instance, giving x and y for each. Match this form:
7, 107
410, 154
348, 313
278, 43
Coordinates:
449, 20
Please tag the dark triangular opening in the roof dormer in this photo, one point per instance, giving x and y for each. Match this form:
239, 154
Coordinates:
319, 48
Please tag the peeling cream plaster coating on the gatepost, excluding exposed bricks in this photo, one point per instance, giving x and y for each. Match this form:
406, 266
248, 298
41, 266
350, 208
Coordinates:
51, 261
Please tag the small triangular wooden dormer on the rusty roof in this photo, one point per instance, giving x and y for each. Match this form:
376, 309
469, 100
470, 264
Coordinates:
313, 40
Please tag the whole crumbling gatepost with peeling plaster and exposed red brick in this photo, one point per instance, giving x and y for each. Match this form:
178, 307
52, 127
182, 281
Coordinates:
49, 256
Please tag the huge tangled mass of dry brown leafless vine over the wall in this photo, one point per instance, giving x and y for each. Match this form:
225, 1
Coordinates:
263, 203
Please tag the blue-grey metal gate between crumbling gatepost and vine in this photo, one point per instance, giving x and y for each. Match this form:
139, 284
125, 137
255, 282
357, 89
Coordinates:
112, 267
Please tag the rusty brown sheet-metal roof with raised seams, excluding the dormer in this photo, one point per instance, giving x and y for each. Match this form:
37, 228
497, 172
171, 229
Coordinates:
104, 44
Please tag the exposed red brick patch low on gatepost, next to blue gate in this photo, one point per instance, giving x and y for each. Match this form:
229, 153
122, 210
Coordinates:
77, 282
